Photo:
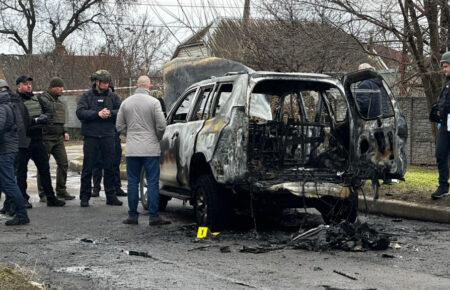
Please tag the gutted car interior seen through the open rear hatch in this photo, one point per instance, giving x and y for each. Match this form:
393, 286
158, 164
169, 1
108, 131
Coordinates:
297, 124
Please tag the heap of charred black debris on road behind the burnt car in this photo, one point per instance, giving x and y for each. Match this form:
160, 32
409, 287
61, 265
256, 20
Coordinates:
344, 236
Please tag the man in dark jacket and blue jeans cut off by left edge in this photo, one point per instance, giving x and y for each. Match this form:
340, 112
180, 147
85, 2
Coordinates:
9, 146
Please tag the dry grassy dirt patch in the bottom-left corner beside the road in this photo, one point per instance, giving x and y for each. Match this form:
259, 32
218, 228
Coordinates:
12, 279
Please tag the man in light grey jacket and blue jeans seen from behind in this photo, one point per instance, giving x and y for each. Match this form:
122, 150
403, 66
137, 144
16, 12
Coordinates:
142, 118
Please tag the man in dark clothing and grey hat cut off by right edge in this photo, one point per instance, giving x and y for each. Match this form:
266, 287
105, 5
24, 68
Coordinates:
441, 116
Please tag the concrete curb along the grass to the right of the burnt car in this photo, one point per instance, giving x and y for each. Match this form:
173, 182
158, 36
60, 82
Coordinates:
407, 210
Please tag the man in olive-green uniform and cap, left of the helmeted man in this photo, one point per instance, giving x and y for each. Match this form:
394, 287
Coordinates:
54, 135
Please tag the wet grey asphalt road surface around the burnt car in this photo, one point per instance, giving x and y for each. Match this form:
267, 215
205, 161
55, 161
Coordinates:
52, 247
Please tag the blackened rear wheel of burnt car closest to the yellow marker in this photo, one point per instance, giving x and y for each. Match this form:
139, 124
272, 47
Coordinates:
211, 203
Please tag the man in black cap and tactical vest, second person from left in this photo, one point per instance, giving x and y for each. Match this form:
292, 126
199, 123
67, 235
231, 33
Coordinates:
33, 146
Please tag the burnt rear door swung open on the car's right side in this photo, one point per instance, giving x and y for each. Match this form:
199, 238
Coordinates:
373, 163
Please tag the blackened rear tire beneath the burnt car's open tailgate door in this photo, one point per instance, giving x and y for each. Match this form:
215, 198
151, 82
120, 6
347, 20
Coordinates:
335, 210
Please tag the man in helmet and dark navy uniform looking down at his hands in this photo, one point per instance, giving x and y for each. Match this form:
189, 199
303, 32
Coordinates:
97, 111
